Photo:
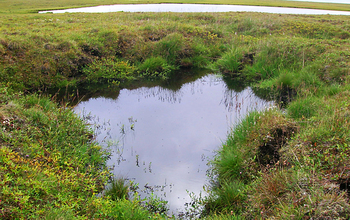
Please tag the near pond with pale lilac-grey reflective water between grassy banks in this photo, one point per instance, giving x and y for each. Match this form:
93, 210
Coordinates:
162, 137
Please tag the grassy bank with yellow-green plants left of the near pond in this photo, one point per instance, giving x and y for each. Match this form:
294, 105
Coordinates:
50, 168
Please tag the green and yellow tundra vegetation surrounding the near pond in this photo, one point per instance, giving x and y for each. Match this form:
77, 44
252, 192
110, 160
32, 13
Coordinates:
287, 162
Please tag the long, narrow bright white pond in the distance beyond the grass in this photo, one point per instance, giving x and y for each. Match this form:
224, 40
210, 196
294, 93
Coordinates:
196, 8
